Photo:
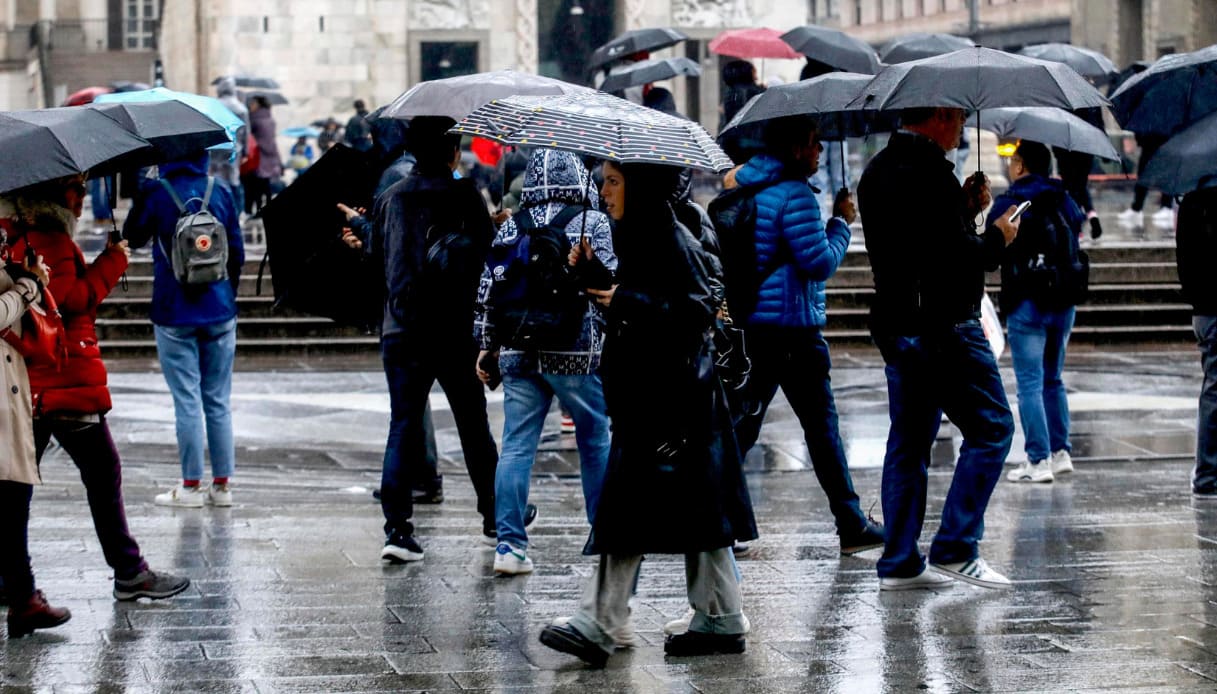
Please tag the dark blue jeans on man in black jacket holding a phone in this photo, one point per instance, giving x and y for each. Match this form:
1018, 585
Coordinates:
947, 371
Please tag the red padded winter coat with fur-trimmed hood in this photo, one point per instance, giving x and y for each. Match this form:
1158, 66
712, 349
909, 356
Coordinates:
80, 384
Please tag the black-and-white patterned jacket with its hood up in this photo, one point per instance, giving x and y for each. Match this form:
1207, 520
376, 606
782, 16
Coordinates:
553, 181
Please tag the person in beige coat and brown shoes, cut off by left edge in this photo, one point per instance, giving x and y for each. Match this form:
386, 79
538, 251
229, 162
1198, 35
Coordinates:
21, 284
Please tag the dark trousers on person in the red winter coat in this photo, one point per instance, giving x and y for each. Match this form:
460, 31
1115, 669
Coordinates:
93, 450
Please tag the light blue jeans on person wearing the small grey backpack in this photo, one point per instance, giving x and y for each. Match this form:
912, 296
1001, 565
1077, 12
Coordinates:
198, 366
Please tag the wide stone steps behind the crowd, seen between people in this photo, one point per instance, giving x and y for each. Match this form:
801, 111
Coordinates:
1135, 300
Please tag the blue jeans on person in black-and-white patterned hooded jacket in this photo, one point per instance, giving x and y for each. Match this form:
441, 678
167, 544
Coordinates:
526, 400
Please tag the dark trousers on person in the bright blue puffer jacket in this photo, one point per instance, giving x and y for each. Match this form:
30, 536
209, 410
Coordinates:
797, 360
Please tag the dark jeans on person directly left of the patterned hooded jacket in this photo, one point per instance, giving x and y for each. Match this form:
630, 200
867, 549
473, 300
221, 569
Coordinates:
412, 367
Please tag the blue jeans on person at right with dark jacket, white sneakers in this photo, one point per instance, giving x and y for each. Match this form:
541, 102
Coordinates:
1037, 344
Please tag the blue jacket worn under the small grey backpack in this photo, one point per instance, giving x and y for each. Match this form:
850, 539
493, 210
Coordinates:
154, 220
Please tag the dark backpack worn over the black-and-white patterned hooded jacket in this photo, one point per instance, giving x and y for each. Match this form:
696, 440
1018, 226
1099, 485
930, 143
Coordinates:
535, 303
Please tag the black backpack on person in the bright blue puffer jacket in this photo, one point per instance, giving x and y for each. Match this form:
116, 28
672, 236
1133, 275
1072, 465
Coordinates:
734, 214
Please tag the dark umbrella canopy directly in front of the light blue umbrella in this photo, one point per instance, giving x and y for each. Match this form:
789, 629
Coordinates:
173, 128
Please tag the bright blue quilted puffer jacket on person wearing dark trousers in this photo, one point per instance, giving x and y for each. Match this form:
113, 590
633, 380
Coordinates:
789, 225
